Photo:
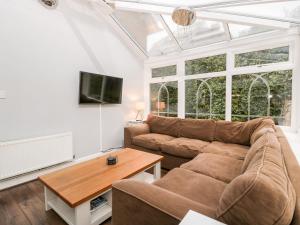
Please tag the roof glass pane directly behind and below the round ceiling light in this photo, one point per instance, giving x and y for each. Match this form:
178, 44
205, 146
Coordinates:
200, 33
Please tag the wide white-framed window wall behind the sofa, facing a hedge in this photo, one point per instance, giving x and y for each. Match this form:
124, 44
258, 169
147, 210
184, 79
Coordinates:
212, 88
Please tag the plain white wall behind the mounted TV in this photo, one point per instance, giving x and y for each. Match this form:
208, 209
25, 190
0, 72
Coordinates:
41, 54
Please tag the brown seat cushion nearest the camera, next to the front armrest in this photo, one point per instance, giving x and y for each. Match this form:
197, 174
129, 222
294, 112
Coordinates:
194, 186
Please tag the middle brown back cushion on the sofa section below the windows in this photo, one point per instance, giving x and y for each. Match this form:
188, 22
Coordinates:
198, 129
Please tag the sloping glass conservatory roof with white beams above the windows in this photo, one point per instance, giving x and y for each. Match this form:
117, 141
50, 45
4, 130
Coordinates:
150, 26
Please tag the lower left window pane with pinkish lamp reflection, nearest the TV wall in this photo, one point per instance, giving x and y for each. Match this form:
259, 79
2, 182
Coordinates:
164, 99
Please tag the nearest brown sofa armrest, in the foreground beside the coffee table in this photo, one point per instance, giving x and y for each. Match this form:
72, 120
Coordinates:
136, 203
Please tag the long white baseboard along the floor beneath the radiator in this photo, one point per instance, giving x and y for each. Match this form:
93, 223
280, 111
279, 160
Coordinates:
4, 184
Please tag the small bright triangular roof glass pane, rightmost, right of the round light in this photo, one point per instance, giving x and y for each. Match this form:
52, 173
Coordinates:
238, 30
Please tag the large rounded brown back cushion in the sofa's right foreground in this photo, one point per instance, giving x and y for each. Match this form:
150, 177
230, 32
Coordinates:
263, 194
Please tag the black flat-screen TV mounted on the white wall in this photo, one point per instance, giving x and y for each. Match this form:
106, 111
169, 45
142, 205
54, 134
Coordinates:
100, 89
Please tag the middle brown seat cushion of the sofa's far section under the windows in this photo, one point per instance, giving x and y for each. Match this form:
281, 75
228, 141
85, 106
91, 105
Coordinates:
184, 147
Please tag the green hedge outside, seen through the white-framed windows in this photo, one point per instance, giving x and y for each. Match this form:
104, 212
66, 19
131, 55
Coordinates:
271, 92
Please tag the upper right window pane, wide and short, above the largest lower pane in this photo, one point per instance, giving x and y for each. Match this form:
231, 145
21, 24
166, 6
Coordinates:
266, 56
